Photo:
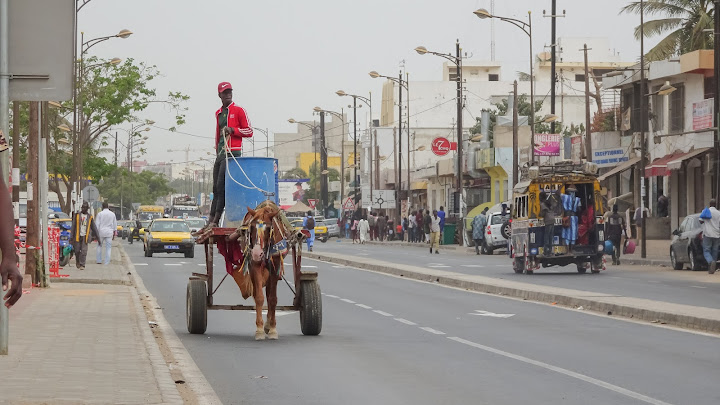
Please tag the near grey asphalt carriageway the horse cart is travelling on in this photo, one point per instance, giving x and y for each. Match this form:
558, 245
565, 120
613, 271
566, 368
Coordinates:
388, 340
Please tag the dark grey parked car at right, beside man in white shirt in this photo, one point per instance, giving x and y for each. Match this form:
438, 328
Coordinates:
686, 245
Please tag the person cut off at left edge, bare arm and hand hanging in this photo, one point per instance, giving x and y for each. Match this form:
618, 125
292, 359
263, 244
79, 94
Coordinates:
9, 272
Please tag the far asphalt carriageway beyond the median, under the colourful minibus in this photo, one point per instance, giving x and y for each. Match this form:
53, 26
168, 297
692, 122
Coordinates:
680, 287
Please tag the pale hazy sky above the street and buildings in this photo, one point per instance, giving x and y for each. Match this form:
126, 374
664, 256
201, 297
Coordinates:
284, 57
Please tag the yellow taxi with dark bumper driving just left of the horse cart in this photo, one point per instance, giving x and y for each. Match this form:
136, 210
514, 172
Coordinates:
169, 236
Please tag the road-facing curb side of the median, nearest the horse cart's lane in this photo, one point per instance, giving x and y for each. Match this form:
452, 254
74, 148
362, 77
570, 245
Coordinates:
563, 299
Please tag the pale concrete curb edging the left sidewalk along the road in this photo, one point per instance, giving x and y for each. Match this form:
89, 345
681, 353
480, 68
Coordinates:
181, 360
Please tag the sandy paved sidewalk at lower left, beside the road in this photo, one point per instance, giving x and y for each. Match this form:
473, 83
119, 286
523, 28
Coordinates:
85, 340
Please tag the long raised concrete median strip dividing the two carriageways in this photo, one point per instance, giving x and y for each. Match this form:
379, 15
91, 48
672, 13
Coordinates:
684, 316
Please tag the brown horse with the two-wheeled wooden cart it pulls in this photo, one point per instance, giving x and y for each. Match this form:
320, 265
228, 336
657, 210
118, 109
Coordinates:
266, 242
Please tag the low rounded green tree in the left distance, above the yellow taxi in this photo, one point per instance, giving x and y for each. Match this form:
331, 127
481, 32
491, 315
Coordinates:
129, 187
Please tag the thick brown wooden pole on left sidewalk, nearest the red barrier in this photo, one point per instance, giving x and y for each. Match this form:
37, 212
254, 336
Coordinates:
33, 213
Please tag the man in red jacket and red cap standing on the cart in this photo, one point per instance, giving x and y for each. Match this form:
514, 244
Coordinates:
232, 125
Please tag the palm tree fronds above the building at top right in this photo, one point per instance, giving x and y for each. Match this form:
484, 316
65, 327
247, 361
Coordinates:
683, 25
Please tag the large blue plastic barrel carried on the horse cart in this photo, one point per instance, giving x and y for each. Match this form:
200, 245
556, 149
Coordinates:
248, 182
